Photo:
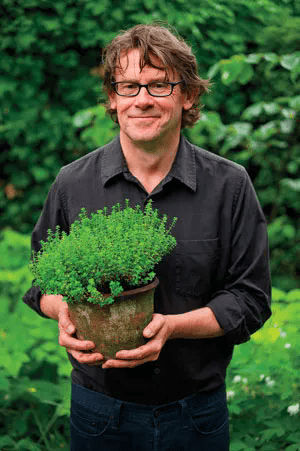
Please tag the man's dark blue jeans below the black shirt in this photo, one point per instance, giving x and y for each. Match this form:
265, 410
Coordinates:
196, 423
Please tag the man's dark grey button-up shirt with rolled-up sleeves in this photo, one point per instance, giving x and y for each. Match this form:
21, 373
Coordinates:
220, 261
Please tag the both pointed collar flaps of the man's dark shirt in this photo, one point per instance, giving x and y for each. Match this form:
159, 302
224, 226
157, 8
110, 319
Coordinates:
183, 169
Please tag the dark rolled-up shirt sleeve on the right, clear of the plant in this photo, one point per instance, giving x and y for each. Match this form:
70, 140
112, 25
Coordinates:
243, 304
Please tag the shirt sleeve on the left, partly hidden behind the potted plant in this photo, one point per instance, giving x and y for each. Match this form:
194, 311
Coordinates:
53, 214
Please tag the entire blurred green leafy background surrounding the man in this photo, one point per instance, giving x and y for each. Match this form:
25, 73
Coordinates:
52, 113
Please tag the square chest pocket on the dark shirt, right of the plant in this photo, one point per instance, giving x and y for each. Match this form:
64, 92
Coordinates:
196, 264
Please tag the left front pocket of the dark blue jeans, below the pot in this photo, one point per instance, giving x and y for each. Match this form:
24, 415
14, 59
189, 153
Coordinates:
87, 422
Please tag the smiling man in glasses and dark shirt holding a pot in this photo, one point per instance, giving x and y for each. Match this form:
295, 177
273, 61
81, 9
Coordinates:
214, 289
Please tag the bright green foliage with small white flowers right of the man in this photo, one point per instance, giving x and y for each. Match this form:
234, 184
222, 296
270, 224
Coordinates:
263, 382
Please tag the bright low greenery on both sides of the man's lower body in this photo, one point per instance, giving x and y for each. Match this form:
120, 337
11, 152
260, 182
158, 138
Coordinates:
263, 382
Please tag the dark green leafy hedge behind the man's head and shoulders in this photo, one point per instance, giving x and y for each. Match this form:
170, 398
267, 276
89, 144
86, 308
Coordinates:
50, 84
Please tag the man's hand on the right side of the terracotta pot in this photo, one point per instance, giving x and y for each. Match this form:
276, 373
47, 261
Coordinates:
157, 331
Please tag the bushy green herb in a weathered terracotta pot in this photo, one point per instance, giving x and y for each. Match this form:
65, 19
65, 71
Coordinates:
105, 270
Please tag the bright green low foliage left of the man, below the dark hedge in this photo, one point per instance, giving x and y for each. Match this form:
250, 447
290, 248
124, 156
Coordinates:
34, 370
